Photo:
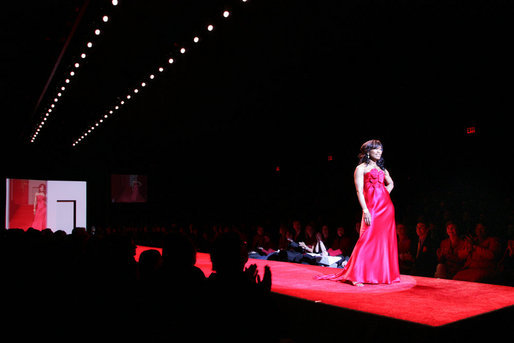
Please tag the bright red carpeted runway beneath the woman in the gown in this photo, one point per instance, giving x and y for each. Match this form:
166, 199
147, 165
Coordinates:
428, 301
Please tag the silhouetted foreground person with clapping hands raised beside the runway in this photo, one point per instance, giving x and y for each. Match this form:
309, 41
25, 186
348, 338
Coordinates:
234, 291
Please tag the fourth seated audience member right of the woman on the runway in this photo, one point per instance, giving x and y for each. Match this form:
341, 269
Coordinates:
482, 257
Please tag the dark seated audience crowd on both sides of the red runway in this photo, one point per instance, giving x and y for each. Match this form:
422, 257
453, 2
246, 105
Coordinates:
88, 282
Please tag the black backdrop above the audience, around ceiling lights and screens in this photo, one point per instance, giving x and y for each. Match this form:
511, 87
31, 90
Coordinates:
278, 83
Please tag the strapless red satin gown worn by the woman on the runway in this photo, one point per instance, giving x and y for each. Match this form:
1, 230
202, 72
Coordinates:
375, 256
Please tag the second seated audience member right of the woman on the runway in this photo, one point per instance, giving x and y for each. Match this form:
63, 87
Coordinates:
425, 259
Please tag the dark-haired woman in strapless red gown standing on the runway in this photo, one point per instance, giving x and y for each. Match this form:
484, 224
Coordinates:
374, 259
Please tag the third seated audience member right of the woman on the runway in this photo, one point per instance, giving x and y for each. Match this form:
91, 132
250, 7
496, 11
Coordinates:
451, 253
